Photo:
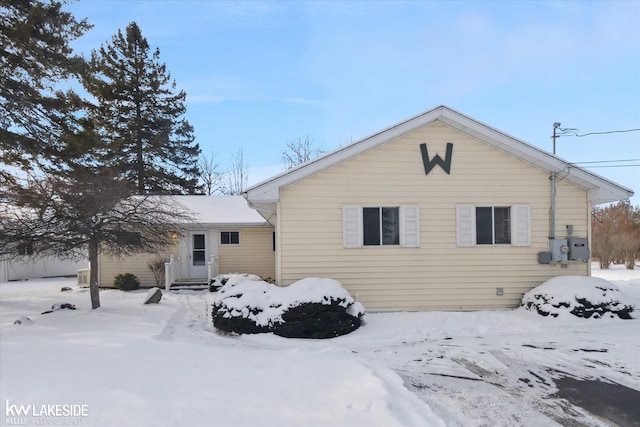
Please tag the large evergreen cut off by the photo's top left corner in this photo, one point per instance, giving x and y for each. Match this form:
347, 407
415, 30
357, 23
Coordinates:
35, 56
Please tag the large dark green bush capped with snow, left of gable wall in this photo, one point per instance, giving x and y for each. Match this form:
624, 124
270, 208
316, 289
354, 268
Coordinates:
309, 308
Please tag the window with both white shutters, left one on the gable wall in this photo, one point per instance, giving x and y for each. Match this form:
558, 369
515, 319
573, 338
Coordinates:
380, 226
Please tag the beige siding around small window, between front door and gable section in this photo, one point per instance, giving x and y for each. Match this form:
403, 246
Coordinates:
253, 255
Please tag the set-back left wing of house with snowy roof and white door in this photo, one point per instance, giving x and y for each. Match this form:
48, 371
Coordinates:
226, 236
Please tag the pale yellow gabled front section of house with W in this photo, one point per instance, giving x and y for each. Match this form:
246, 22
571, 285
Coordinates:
437, 212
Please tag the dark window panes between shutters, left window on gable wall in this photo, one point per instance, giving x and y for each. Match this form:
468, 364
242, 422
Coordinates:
381, 226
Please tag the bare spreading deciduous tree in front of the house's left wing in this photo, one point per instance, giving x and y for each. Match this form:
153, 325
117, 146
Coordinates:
88, 210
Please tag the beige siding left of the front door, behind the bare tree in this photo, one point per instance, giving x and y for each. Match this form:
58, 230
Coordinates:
111, 266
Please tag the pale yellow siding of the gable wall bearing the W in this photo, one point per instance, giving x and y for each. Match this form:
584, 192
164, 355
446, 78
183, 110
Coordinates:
437, 274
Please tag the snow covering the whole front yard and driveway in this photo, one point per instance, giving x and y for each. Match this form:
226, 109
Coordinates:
129, 364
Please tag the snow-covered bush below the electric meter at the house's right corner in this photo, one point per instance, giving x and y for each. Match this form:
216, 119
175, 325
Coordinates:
580, 296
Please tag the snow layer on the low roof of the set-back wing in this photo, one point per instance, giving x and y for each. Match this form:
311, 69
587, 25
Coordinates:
220, 210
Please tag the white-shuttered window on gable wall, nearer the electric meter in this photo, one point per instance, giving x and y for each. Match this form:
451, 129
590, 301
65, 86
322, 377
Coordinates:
493, 225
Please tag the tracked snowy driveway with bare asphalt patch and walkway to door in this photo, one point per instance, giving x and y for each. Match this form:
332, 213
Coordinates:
474, 368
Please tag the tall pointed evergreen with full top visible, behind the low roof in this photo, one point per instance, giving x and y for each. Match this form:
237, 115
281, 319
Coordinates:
140, 117
